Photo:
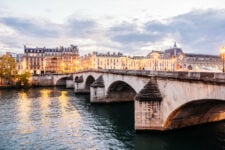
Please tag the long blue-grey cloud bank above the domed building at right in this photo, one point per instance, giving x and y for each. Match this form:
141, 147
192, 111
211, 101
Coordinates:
200, 31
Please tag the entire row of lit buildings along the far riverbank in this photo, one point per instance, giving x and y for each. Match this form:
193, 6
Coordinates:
67, 60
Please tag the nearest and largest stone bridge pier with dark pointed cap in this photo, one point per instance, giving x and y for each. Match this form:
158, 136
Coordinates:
148, 108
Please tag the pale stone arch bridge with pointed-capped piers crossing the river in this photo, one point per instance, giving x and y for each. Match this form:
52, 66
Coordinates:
163, 100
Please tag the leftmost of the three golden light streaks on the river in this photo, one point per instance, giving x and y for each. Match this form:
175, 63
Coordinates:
24, 112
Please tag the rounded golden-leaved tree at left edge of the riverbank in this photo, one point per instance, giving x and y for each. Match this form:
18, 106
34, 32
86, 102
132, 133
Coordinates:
7, 68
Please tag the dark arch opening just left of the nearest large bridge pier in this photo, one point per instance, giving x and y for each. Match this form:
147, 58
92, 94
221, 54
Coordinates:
120, 90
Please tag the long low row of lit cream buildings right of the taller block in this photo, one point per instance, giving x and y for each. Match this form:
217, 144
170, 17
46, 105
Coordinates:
172, 59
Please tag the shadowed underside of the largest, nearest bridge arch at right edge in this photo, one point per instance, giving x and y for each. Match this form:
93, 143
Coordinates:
196, 112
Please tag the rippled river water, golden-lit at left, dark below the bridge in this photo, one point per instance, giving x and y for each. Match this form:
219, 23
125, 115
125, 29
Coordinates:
56, 118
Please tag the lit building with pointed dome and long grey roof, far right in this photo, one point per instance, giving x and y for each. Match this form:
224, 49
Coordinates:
175, 59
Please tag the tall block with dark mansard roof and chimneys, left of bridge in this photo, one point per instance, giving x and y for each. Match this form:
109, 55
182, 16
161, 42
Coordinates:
49, 60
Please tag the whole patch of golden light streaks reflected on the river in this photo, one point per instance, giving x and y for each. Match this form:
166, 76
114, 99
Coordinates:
53, 109
